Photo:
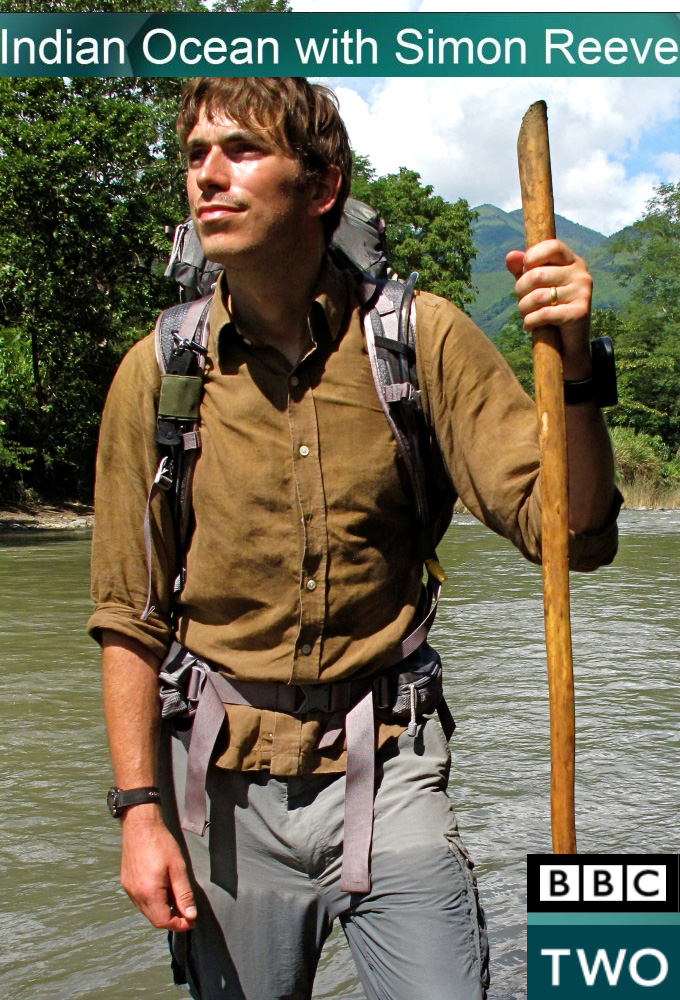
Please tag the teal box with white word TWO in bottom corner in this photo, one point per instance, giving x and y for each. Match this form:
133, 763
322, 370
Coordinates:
593, 959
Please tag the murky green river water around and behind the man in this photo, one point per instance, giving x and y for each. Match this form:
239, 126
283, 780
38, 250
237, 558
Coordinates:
69, 932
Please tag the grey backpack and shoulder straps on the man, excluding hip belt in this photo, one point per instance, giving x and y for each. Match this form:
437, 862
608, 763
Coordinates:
181, 336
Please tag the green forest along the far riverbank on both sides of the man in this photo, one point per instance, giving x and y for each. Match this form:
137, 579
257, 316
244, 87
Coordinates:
91, 176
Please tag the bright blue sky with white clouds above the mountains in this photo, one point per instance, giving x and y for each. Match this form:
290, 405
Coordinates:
613, 140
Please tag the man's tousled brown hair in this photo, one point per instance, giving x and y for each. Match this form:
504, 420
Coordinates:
302, 120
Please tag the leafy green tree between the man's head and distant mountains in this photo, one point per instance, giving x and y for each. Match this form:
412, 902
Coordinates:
424, 232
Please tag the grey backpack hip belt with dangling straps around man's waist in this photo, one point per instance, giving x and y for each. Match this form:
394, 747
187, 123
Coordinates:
409, 687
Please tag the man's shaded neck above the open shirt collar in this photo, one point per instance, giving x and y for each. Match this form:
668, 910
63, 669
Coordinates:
270, 301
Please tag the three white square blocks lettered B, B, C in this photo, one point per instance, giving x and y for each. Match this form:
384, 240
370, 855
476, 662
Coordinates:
602, 883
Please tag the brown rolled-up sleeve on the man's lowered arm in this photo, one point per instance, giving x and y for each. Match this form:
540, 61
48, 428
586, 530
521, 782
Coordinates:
126, 466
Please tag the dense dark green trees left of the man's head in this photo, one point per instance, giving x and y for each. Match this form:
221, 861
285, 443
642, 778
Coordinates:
89, 176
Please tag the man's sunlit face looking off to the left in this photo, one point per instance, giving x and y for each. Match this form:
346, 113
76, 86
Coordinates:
245, 195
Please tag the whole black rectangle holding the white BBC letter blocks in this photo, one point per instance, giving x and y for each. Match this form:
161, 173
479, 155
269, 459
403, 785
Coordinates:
607, 882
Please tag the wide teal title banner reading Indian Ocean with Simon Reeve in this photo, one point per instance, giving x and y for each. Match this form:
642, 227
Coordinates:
339, 44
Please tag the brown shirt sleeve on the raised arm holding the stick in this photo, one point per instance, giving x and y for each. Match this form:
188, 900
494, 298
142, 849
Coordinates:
487, 432
